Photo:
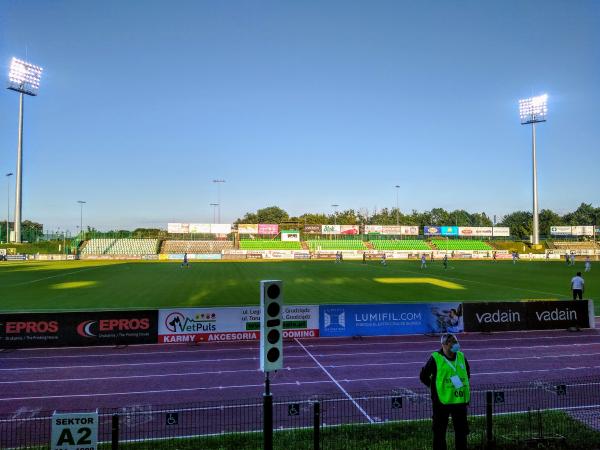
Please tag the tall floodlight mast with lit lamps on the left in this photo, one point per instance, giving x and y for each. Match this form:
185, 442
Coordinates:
23, 78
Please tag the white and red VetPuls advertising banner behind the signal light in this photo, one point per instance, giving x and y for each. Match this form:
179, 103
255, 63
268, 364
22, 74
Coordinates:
231, 324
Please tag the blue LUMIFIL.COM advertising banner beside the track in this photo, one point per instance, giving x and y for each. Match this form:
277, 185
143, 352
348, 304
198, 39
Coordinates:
390, 319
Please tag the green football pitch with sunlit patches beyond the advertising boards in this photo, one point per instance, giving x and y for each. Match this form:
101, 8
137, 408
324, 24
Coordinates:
73, 285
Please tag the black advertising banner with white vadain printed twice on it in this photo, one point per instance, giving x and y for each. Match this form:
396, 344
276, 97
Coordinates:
531, 315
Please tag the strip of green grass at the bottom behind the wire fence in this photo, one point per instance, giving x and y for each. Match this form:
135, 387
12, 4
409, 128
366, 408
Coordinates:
511, 433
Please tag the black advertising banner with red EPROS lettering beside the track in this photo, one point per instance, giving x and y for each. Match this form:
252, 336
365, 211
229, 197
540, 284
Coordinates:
78, 329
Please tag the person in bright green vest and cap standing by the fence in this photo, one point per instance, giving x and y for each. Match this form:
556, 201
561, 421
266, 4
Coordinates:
447, 374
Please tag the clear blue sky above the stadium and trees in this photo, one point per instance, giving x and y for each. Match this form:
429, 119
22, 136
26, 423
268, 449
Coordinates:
299, 104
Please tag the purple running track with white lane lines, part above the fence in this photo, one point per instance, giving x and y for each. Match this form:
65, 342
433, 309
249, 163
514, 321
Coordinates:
36, 380
